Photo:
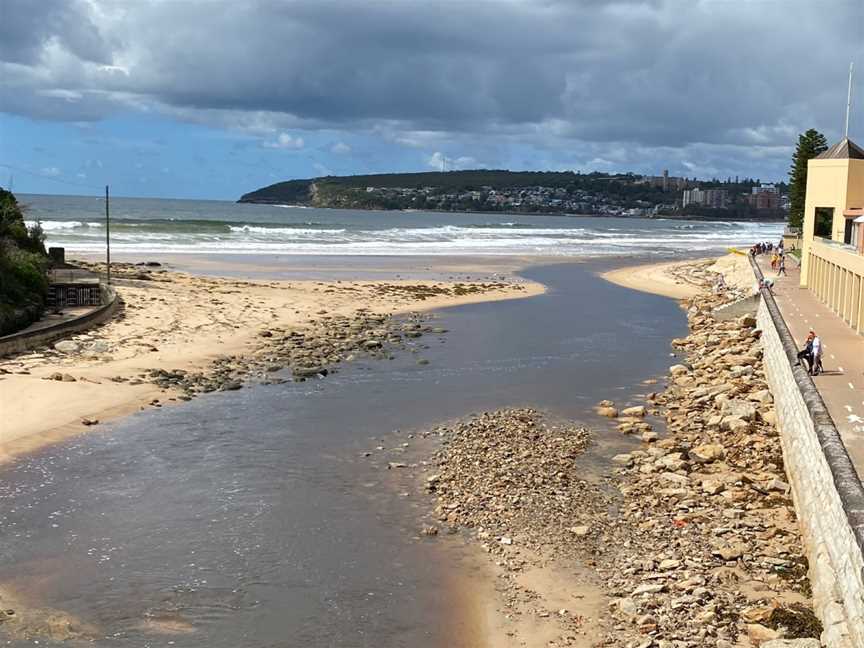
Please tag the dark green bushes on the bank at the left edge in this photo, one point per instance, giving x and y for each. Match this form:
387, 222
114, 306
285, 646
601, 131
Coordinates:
23, 267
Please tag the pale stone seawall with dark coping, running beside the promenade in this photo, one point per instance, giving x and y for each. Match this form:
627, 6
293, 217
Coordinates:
827, 491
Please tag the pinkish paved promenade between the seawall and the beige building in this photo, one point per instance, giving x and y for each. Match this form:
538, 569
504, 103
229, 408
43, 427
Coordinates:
842, 383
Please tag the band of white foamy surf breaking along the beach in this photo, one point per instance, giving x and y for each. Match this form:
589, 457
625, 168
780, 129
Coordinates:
584, 237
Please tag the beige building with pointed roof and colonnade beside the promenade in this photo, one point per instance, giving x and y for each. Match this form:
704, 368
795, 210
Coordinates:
832, 258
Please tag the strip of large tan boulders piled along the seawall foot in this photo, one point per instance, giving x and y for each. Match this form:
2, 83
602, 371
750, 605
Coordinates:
707, 531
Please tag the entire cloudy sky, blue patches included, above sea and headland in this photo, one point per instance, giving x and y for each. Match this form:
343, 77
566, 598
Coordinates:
212, 98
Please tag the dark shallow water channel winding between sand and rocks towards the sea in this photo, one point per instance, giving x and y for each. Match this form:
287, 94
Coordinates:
251, 518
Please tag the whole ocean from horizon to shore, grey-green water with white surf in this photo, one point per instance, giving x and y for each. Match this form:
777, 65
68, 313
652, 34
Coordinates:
148, 225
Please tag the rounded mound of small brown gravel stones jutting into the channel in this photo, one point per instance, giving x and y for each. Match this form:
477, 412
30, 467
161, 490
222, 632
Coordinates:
513, 474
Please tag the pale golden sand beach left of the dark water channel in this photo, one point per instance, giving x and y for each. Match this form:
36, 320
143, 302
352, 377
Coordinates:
174, 320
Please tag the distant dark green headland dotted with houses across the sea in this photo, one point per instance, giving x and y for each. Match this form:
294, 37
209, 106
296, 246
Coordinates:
549, 192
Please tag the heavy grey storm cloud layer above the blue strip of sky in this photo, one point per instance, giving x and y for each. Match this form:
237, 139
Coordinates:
653, 73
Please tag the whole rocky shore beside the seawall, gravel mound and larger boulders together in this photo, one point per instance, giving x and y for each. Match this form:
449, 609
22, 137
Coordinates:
692, 533
